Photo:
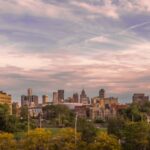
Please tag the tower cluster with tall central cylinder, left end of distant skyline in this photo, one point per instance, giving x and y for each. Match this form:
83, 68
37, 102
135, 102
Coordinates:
31, 100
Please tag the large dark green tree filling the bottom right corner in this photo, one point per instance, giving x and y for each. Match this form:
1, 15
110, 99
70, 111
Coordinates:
137, 136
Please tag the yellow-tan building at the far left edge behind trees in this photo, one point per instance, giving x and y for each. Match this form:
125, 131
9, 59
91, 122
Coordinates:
6, 99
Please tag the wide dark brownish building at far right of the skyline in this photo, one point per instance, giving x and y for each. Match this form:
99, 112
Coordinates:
140, 98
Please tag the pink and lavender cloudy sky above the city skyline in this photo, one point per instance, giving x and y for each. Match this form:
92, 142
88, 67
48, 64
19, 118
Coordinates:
73, 44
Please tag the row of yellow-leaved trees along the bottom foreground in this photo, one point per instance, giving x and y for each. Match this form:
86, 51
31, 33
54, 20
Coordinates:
64, 139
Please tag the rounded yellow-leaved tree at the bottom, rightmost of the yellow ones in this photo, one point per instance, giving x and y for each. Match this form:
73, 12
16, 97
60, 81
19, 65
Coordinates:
103, 141
